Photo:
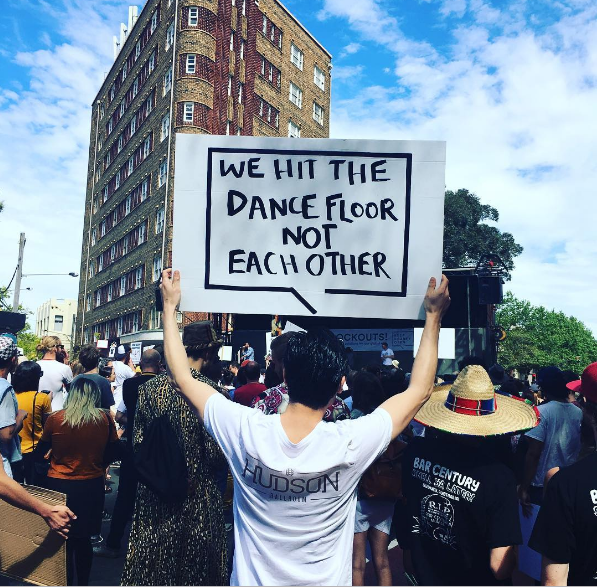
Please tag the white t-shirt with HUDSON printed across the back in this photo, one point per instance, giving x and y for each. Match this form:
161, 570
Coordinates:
294, 504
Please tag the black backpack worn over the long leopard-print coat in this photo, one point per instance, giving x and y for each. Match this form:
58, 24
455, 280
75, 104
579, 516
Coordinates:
160, 462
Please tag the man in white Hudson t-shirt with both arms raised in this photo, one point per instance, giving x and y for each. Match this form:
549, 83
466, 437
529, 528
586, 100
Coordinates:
294, 476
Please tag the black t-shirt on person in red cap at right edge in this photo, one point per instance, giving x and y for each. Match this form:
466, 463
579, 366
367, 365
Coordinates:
566, 527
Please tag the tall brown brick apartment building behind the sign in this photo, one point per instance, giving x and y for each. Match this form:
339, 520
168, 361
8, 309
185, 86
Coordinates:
245, 67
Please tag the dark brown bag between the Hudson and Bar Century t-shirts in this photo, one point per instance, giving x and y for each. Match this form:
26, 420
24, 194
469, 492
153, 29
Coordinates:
383, 479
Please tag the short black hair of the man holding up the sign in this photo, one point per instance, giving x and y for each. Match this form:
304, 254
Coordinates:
314, 364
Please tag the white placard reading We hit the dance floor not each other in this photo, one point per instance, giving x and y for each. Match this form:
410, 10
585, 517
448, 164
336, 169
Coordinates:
311, 226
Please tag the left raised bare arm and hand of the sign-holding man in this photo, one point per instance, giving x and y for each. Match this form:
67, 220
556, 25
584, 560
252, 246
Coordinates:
195, 392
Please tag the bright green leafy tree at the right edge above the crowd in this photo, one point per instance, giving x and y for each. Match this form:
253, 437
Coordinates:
537, 337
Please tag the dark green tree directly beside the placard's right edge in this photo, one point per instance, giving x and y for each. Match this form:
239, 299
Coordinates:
467, 238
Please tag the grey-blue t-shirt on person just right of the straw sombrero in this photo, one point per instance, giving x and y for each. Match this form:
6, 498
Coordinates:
559, 430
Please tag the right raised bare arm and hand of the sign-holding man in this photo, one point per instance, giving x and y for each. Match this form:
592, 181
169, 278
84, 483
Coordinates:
404, 406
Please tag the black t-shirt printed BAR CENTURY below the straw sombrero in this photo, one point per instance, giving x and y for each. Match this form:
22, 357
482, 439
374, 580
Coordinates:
461, 503
